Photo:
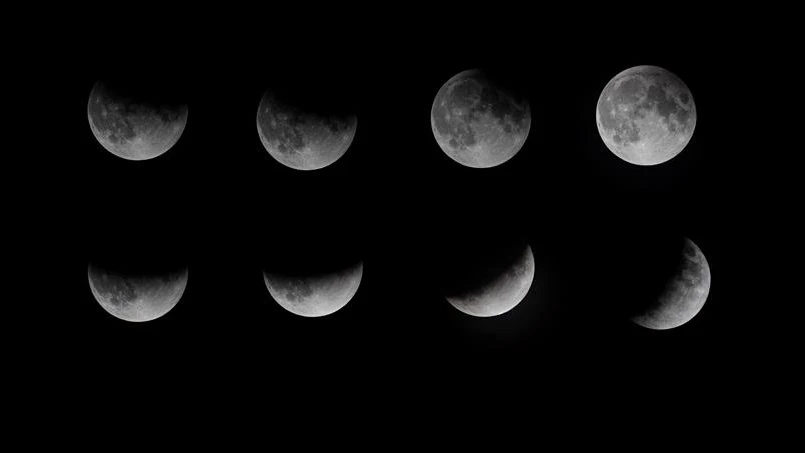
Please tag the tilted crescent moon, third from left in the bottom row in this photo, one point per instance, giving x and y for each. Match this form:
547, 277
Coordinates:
501, 290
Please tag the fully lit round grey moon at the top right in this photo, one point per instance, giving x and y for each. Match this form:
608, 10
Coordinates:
646, 115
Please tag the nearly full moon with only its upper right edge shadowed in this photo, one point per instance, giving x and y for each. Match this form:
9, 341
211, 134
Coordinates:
477, 123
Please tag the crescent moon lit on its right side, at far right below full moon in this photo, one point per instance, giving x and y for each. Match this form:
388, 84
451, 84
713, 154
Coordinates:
684, 294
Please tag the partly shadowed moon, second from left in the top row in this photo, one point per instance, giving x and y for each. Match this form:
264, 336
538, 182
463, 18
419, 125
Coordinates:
303, 140
